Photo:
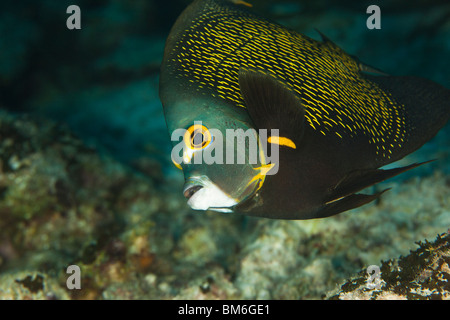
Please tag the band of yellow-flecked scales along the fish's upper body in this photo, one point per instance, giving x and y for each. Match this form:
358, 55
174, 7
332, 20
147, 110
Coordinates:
337, 99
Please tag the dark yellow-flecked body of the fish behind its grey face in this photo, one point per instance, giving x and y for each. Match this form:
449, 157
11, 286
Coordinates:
355, 122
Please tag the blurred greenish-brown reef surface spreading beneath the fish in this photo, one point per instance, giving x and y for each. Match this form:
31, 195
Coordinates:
133, 237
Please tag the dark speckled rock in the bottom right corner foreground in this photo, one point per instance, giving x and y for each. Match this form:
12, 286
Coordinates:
423, 274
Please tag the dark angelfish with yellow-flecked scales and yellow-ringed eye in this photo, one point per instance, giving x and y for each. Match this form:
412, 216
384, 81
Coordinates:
332, 121
